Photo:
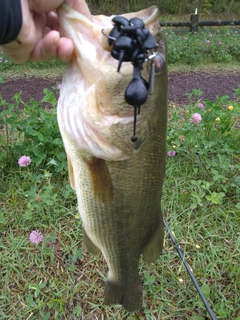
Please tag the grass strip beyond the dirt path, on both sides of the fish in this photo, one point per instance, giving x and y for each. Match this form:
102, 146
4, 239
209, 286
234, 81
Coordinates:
211, 49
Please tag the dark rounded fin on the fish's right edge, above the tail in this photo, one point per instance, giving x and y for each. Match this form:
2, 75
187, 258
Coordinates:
153, 248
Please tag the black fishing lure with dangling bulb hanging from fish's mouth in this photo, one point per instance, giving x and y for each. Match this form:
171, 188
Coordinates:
132, 42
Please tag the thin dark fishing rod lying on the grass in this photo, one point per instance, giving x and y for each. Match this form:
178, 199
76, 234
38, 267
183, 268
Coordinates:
209, 310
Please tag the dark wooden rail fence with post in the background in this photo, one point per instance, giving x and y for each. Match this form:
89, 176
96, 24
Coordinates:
194, 23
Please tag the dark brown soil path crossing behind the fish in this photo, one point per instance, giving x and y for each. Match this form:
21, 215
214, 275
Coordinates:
211, 83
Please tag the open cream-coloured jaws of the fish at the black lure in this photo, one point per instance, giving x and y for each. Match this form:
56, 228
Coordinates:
94, 25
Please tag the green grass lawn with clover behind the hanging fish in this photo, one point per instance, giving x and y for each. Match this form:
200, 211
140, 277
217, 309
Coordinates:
57, 278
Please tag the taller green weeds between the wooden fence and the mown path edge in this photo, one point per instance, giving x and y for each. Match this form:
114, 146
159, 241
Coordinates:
205, 46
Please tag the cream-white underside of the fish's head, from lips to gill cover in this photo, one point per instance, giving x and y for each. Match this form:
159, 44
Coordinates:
90, 110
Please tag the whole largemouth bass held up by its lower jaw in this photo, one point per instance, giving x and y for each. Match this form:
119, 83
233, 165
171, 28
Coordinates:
118, 180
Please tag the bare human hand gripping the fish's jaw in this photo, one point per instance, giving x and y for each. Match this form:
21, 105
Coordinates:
39, 39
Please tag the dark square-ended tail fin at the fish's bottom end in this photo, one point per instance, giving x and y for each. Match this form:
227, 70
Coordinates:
129, 296
